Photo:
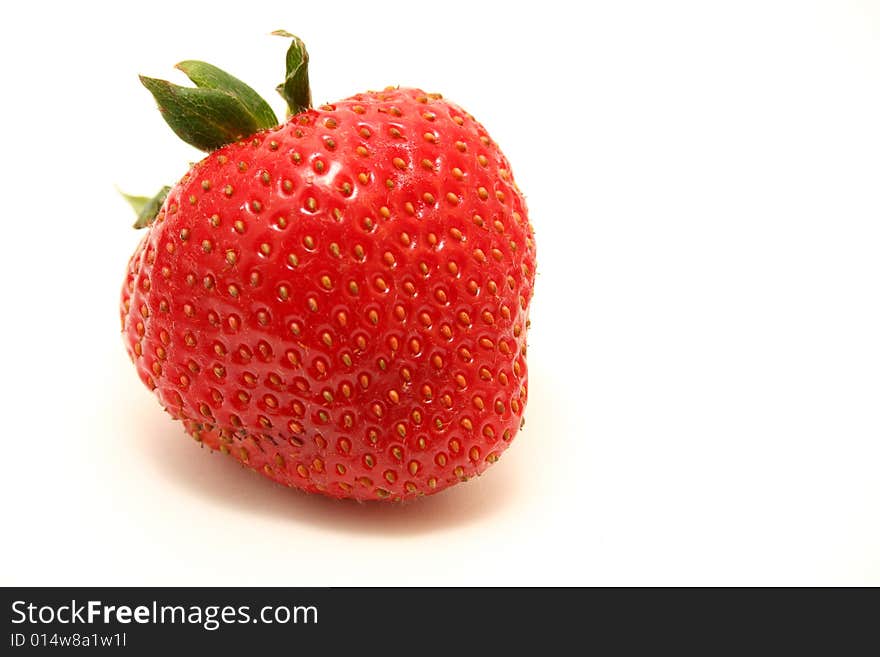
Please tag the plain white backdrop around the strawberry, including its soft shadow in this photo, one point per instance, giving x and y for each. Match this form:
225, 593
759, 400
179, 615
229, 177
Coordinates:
704, 181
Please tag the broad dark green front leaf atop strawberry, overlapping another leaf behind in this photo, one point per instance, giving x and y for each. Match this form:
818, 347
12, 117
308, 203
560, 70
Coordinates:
204, 118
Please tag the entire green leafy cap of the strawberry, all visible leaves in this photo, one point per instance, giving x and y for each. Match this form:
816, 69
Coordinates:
220, 109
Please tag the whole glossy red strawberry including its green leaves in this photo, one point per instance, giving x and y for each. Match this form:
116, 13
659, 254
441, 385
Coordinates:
339, 302
